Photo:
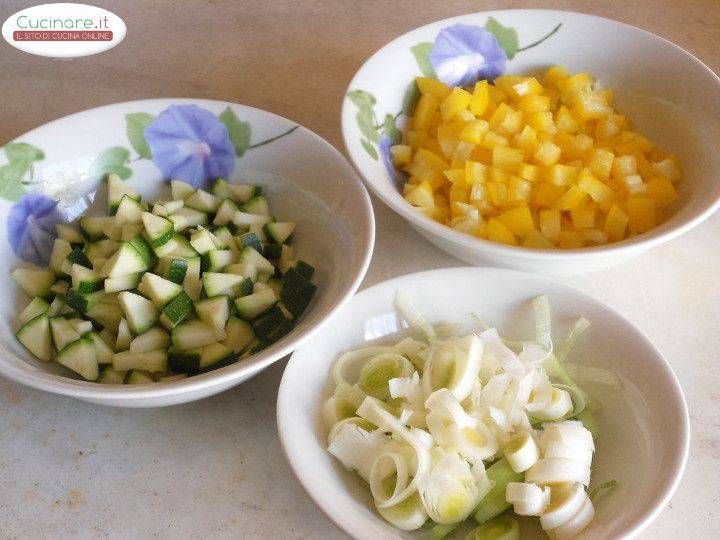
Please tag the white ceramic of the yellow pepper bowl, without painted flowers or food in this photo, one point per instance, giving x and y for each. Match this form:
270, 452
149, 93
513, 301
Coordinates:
670, 95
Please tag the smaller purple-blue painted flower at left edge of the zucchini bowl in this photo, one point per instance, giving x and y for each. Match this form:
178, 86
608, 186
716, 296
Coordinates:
31, 227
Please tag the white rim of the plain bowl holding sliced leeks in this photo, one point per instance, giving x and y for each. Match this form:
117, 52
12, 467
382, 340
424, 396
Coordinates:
636, 526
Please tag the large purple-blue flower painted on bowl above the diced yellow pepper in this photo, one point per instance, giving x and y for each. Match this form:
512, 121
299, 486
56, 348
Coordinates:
464, 54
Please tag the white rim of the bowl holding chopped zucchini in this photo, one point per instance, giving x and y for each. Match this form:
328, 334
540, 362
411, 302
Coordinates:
58, 384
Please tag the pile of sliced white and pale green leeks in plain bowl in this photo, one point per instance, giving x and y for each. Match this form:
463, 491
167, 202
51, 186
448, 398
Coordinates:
457, 424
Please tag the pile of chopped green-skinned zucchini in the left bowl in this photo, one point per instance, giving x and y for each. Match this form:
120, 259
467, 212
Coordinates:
140, 296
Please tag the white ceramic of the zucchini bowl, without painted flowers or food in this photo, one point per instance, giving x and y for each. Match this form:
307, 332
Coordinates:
306, 179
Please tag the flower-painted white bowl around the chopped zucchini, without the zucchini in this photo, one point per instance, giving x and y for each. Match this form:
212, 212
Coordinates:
52, 174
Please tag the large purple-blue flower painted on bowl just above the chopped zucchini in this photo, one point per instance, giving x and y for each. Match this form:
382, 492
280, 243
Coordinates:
190, 144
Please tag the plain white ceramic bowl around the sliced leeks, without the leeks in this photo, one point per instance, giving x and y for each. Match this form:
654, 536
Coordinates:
644, 421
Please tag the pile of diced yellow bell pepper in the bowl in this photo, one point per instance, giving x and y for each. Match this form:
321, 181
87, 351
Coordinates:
543, 165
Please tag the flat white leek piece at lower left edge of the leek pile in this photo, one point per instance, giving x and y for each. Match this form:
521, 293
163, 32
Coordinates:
356, 448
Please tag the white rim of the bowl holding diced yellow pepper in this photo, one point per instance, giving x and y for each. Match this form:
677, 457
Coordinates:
393, 198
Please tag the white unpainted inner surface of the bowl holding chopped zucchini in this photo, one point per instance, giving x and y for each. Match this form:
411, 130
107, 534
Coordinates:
306, 180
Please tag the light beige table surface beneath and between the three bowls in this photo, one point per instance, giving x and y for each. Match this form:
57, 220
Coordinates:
214, 469
